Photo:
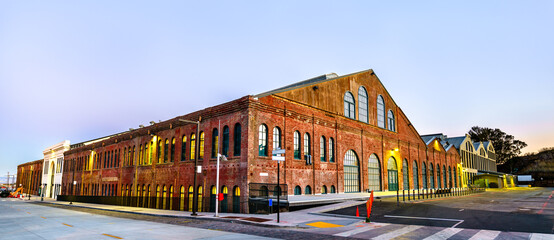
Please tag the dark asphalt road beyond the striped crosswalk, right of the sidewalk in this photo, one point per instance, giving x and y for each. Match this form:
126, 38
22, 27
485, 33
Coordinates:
519, 210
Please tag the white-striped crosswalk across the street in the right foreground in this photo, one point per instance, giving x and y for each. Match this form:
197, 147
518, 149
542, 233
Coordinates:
382, 231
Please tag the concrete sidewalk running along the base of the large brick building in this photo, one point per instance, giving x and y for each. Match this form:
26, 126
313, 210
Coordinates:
296, 219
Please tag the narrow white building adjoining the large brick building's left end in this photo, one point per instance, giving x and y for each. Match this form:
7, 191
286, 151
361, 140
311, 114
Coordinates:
53, 169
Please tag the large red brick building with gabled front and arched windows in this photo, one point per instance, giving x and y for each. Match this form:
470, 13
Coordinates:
341, 134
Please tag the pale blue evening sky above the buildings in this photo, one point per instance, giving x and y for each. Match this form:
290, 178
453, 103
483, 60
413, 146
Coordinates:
79, 70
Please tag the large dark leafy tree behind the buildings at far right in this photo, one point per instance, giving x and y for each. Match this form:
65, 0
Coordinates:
505, 146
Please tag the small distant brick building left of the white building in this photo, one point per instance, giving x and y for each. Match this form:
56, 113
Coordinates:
29, 176
